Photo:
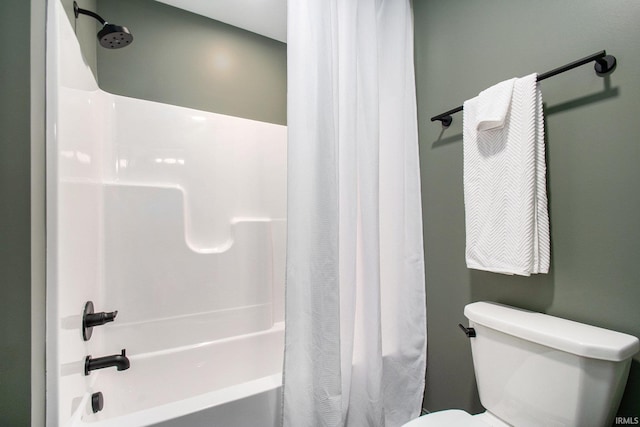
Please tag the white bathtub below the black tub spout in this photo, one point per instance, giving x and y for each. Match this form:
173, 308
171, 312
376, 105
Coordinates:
194, 392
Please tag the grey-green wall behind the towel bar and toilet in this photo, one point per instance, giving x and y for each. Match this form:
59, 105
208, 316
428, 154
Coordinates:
593, 137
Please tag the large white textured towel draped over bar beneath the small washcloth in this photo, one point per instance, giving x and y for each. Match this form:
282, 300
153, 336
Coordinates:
507, 222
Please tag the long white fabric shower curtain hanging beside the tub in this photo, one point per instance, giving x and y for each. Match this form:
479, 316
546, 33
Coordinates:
355, 300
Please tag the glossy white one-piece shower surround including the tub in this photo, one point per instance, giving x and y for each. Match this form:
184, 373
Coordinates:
175, 218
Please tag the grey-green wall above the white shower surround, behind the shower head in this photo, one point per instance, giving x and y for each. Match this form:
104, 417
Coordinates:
184, 59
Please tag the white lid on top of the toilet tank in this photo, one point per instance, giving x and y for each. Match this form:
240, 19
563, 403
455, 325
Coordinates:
562, 334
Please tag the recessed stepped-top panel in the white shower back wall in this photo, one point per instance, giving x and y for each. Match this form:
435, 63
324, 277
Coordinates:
146, 255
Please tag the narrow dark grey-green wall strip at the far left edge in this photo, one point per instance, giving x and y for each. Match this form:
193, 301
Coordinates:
15, 219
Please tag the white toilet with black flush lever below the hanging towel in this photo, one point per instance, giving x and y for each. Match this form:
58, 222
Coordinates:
533, 369
